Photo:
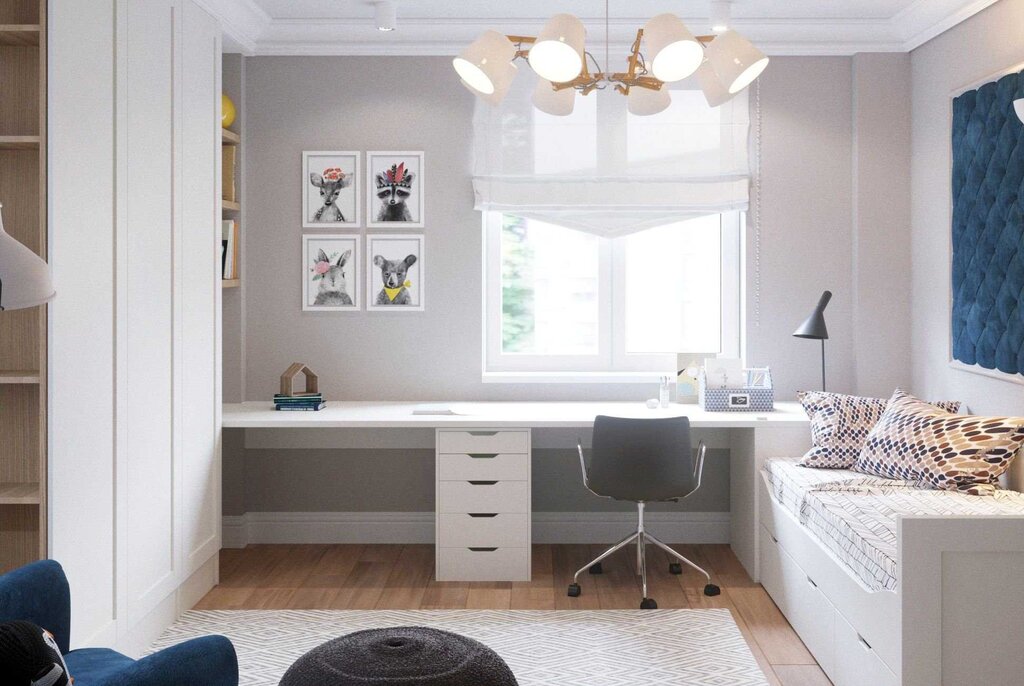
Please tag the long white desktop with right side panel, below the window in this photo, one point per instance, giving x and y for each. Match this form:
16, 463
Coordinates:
753, 437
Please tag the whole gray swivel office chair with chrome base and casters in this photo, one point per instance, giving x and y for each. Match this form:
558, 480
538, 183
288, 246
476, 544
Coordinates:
643, 461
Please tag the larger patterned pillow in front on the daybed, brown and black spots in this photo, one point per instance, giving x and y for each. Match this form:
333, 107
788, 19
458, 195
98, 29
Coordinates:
918, 442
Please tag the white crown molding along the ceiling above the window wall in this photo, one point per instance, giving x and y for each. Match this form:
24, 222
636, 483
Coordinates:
253, 32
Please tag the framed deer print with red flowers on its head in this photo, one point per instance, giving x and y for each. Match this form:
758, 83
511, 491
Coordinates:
330, 190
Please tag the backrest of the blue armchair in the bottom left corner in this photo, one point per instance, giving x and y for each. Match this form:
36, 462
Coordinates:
38, 593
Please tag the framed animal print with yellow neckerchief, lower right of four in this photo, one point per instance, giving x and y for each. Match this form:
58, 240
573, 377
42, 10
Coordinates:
395, 274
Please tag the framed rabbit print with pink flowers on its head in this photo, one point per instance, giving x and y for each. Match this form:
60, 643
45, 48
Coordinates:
331, 278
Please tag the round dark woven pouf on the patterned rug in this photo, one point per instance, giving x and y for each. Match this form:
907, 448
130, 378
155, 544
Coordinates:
407, 656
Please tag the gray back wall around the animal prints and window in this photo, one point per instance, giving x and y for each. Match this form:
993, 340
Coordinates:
812, 145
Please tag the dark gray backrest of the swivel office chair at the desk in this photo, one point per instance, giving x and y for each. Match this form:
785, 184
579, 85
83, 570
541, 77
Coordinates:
643, 459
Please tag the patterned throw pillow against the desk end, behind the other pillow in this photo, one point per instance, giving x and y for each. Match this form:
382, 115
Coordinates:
840, 425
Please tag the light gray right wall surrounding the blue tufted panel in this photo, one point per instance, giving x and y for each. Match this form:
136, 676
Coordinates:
983, 47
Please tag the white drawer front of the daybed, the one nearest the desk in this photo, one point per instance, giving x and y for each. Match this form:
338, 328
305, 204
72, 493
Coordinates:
803, 604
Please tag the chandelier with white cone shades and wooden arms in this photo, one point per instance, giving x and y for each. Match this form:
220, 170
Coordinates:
665, 52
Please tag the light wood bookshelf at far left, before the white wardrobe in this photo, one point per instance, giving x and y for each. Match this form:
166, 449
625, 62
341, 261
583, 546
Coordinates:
23, 333
